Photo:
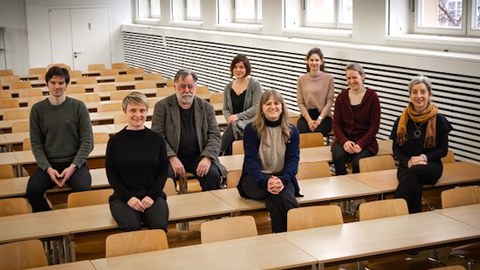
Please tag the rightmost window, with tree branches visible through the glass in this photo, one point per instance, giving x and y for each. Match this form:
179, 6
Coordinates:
451, 17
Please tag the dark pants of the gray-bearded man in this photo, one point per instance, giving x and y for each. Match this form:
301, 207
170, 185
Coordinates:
210, 181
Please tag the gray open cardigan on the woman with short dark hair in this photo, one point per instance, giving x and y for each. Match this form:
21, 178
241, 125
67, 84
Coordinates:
252, 97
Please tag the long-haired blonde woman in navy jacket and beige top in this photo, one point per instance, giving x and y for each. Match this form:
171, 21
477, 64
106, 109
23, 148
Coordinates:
271, 159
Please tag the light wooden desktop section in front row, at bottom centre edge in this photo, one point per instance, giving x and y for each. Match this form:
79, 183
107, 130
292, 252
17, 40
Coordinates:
260, 252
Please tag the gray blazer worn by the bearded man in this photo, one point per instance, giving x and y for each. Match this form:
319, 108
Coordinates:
166, 121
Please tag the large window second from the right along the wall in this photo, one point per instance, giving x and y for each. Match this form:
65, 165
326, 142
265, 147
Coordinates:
333, 14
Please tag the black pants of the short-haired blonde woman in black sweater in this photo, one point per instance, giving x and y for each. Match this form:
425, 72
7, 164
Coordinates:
155, 217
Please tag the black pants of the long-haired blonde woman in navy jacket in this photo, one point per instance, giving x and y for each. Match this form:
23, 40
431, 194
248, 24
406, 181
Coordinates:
277, 205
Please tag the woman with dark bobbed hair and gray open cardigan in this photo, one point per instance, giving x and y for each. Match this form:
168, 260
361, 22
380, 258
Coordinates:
240, 99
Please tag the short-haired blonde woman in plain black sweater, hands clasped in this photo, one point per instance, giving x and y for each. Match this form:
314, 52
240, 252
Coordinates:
137, 166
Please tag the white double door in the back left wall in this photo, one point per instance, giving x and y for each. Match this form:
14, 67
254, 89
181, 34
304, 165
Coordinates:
80, 36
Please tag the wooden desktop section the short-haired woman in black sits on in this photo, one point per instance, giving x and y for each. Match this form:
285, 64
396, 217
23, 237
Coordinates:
181, 207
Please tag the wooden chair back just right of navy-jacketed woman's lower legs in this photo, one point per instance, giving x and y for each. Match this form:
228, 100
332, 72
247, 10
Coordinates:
313, 216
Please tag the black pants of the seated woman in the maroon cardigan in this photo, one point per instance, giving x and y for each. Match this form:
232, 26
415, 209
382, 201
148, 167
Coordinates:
340, 159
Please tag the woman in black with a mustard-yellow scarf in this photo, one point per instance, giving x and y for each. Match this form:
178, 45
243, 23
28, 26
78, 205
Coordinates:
420, 140
